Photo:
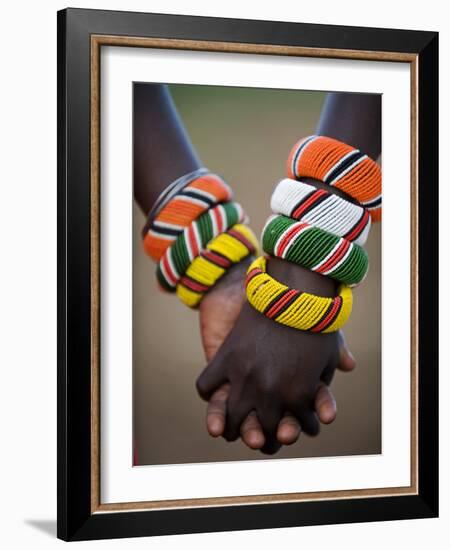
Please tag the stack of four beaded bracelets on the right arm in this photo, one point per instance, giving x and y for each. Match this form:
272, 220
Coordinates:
318, 230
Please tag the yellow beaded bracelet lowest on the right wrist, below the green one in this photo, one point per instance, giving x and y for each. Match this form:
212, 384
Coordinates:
294, 308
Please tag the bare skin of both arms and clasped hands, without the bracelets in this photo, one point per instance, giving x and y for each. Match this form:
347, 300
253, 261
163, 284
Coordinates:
264, 382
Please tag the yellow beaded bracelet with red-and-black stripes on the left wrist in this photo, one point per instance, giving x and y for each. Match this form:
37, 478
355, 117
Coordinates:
220, 255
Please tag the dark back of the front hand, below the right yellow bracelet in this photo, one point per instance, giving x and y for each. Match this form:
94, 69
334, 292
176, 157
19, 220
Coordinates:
271, 369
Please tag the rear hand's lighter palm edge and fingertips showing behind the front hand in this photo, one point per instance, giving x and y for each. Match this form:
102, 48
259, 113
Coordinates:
218, 313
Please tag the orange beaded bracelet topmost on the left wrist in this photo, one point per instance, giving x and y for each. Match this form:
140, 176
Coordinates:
192, 196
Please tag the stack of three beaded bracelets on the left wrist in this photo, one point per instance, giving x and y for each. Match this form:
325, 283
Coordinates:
196, 233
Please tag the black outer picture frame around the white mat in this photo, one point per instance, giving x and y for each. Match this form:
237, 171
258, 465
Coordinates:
76, 519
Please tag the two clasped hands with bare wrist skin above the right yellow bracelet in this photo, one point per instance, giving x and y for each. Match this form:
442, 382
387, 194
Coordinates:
266, 382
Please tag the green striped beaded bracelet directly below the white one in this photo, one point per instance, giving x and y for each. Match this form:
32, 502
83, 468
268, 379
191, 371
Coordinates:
315, 249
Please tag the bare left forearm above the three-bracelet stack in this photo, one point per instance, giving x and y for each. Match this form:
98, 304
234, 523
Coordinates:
162, 149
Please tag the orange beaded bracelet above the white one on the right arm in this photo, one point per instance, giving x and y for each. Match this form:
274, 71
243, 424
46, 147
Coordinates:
339, 165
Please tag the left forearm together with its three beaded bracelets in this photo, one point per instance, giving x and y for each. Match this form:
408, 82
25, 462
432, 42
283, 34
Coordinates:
163, 154
